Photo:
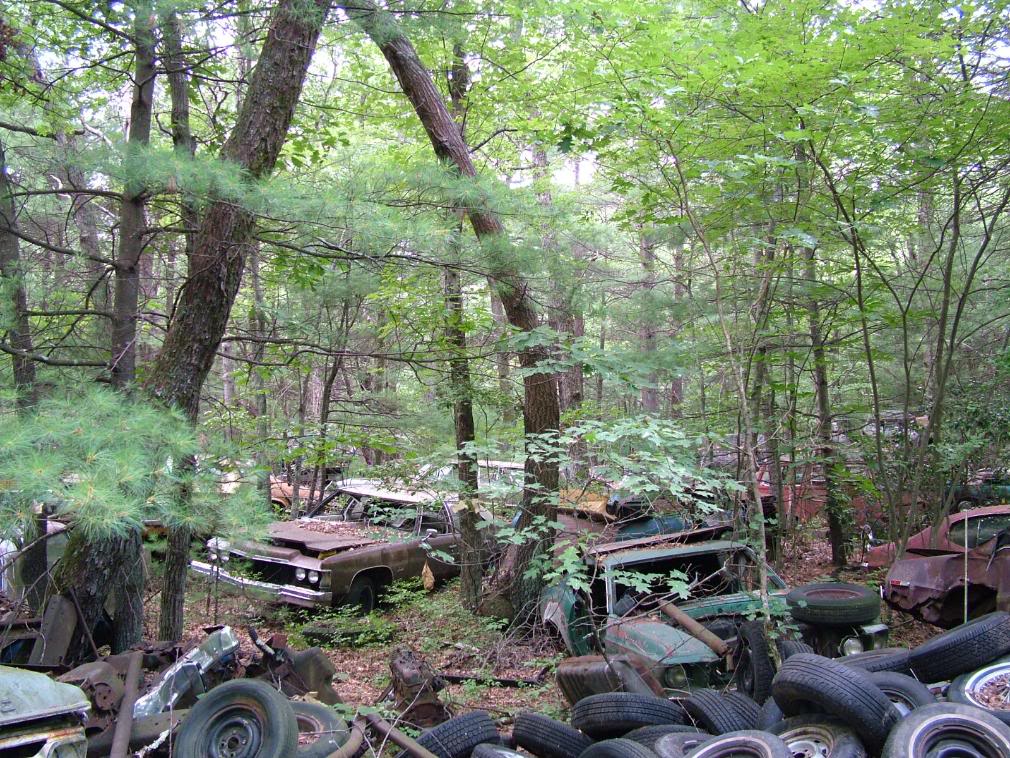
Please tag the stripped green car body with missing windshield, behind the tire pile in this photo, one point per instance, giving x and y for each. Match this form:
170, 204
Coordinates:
620, 616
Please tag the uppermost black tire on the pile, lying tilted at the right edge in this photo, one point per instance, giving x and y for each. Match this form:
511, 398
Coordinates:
963, 649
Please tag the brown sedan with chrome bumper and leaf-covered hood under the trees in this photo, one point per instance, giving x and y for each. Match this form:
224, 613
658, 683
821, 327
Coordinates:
373, 536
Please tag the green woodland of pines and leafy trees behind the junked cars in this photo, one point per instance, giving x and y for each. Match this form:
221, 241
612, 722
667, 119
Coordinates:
696, 255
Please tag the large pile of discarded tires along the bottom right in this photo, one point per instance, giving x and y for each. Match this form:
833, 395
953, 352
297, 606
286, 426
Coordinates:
875, 705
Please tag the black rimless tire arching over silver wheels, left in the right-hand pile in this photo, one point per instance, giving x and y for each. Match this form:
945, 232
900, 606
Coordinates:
843, 692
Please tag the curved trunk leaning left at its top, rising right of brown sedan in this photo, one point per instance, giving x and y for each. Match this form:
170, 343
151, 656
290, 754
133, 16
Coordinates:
516, 593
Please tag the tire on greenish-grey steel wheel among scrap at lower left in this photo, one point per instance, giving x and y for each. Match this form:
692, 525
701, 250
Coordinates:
243, 718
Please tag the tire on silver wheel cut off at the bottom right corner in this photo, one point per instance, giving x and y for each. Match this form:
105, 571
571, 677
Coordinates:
949, 725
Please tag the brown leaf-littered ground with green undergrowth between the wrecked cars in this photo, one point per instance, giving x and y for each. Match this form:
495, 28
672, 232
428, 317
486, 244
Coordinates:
456, 642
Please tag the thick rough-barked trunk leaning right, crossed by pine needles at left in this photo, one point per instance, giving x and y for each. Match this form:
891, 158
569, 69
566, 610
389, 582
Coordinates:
222, 244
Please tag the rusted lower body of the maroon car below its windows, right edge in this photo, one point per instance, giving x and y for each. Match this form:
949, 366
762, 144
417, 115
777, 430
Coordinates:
933, 589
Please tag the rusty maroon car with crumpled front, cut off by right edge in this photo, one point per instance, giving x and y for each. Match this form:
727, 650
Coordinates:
963, 576
